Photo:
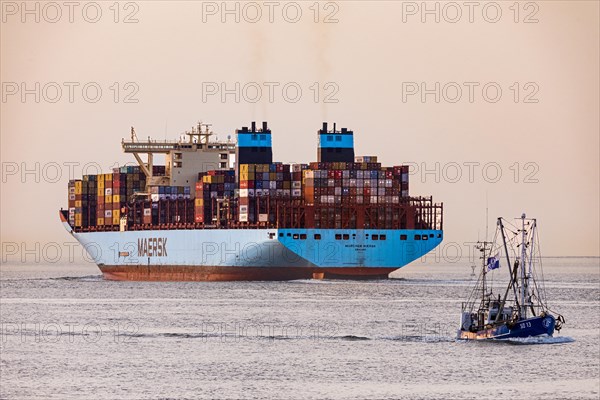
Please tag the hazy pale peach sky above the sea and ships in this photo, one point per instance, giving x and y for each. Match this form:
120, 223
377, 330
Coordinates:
489, 89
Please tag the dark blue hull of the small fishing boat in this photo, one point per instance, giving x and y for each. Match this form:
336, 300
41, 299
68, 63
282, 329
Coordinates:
535, 326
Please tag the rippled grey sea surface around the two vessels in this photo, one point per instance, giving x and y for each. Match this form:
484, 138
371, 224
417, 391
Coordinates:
67, 333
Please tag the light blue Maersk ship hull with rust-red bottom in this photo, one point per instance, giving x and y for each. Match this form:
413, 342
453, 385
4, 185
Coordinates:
254, 254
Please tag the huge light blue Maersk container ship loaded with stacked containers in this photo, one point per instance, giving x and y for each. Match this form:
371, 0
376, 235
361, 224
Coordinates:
224, 210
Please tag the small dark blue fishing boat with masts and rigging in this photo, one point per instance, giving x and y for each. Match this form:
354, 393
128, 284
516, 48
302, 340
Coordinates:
519, 310
